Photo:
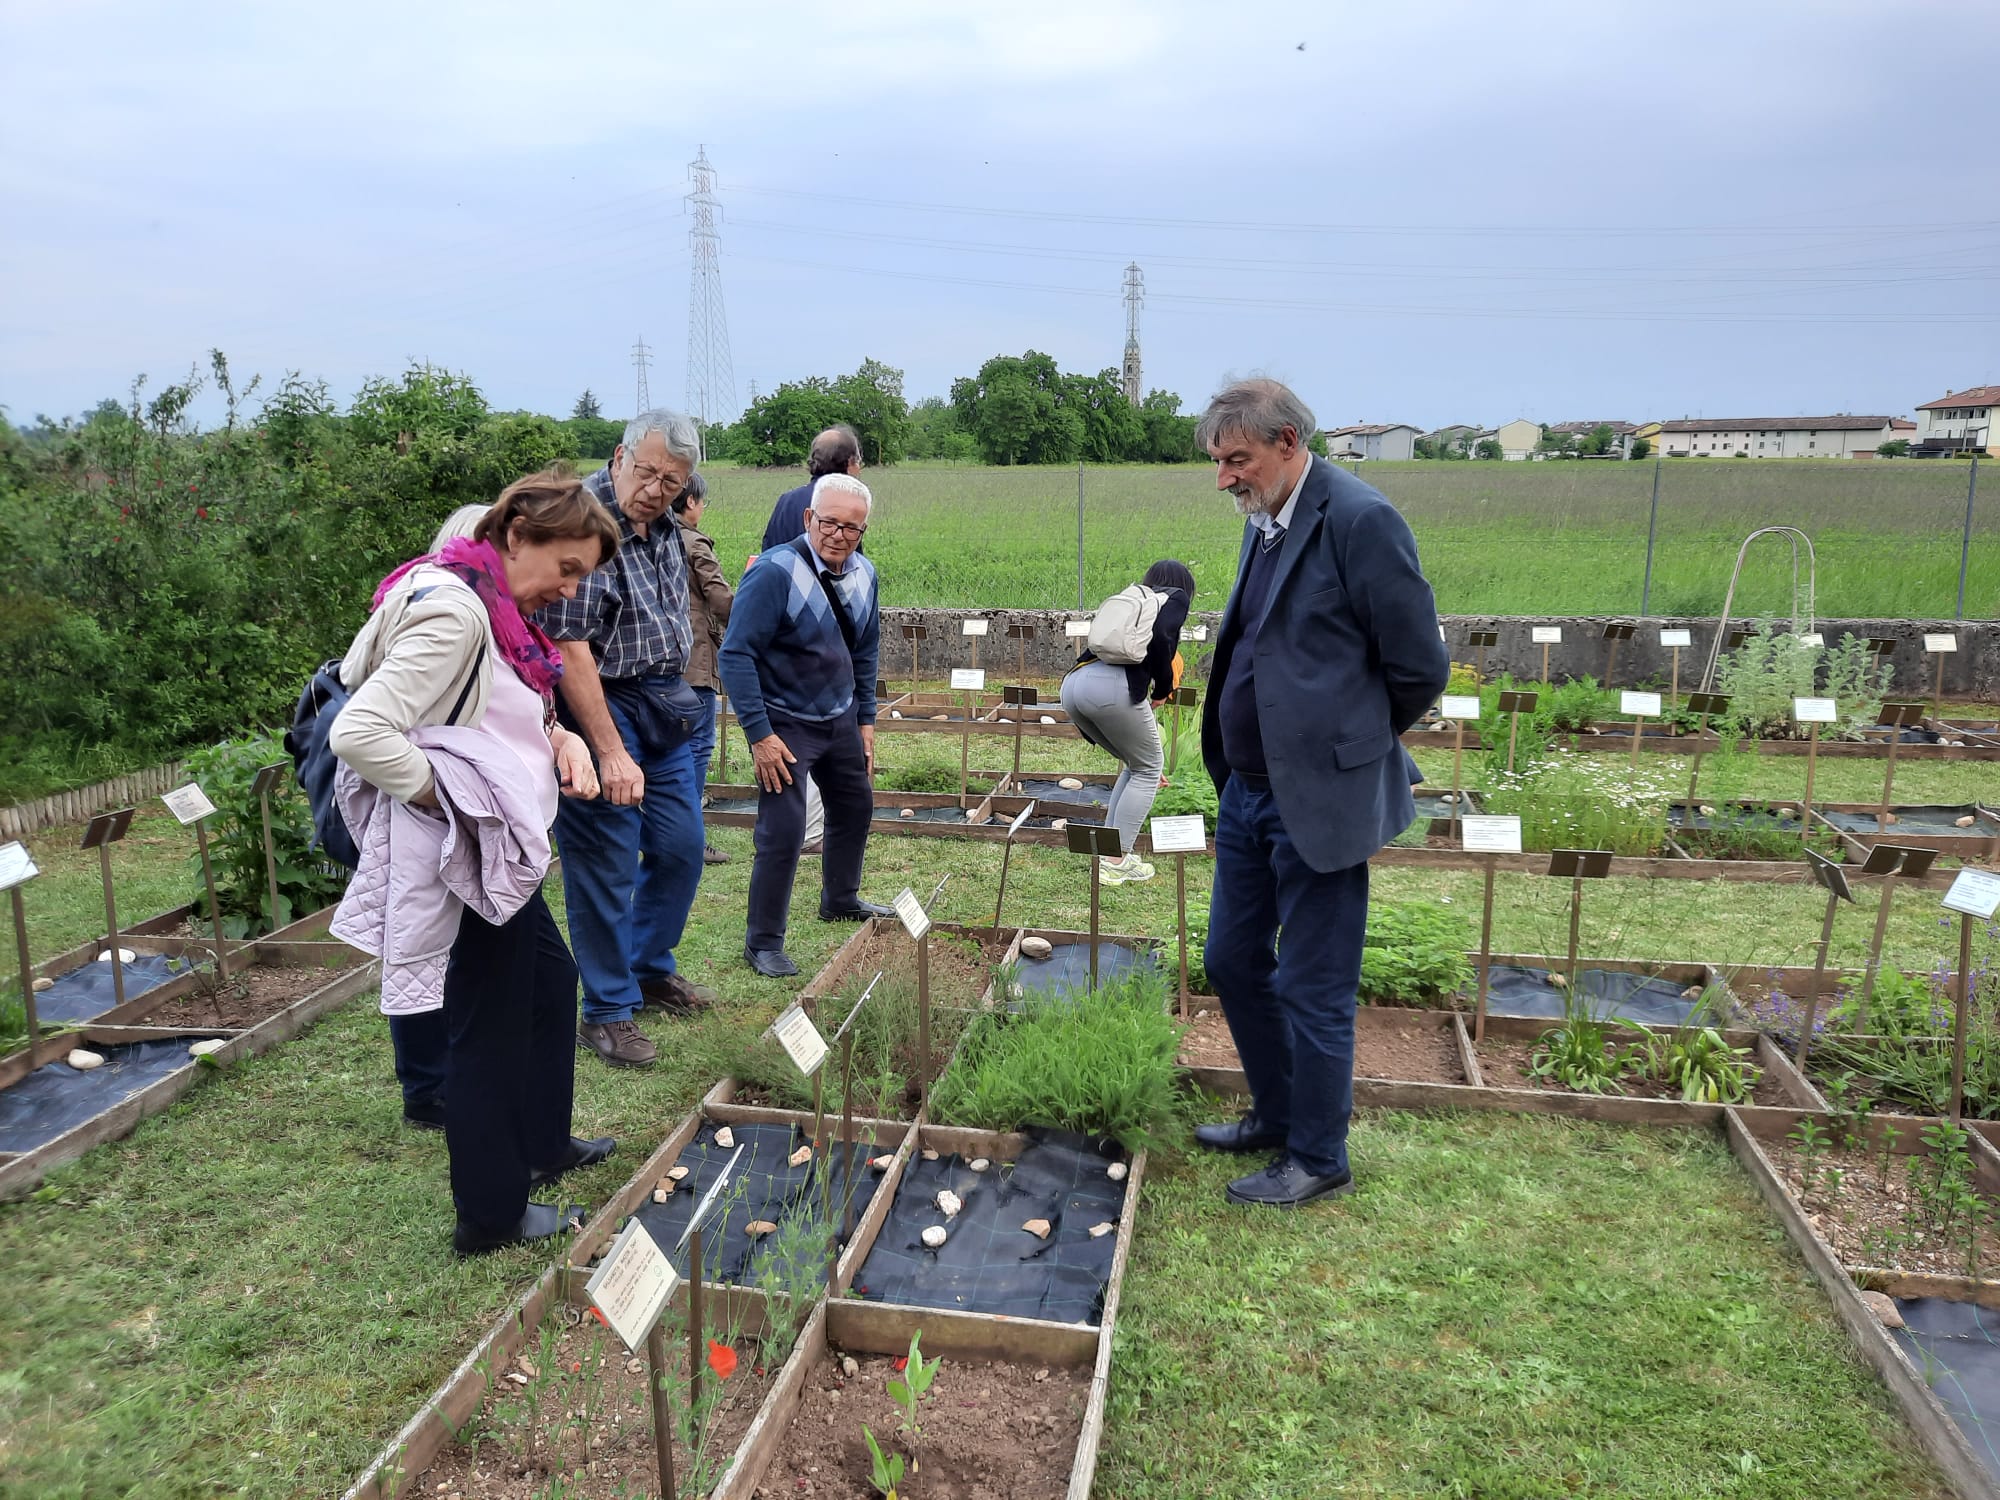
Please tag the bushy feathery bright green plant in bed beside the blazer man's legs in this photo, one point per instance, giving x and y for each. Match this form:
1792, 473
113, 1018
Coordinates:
1099, 1063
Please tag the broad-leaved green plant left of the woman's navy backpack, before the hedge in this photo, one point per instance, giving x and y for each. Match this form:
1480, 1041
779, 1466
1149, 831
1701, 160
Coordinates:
307, 881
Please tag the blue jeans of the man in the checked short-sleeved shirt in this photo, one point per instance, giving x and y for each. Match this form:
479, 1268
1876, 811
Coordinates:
629, 879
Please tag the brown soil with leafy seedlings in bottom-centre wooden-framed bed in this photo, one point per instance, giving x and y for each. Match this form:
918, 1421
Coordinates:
993, 1431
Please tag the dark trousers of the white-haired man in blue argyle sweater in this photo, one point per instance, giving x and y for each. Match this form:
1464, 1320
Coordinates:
833, 755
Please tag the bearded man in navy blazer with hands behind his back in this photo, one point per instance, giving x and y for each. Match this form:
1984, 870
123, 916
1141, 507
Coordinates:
1329, 653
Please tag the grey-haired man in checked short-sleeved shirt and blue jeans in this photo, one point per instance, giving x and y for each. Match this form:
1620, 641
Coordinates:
633, 859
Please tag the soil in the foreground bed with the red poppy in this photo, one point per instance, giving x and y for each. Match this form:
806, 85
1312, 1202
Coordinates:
581, 1411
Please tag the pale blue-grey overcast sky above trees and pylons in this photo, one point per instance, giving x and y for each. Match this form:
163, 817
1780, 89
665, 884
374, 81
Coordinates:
1447, 213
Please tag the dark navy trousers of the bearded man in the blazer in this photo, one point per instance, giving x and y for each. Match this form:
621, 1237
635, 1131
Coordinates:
1291, 1007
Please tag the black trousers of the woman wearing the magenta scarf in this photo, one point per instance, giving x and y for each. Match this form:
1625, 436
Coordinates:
511, 1013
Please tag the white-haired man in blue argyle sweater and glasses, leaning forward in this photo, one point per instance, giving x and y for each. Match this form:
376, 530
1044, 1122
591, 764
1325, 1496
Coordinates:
799, 663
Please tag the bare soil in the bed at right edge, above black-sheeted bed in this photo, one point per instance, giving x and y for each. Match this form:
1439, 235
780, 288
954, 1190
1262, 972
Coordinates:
1883, 1221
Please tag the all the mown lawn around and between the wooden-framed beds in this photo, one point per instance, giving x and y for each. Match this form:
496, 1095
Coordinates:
253, 1291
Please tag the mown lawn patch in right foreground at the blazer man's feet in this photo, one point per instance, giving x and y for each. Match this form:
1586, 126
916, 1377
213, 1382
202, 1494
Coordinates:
1507, 1307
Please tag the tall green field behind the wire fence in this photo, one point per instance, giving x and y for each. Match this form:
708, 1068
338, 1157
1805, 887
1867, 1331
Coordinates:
1497, 539
